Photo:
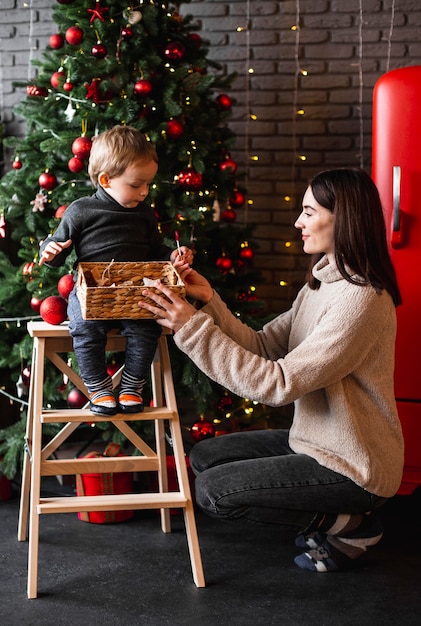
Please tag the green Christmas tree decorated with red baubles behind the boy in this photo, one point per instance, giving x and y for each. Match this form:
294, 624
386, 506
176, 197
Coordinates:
145, 66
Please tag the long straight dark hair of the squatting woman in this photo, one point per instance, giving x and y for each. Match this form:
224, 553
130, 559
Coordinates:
360, 230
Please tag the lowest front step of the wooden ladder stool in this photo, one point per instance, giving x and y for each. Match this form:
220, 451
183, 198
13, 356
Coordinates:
120, 502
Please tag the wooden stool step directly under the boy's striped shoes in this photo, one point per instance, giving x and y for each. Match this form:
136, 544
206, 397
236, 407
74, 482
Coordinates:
85, 415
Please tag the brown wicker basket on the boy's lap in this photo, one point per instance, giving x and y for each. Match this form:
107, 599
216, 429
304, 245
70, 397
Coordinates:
113, 290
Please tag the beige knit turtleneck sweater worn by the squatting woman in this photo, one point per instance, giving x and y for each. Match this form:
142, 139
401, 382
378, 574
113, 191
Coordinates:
332, 354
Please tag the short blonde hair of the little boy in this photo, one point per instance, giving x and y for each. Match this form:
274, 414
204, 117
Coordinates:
115, 149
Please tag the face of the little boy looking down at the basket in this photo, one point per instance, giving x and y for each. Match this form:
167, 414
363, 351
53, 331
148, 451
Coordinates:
132, 186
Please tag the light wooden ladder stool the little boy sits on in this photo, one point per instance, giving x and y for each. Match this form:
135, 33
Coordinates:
50, 342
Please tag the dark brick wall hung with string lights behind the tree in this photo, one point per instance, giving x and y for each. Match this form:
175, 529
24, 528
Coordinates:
326, 69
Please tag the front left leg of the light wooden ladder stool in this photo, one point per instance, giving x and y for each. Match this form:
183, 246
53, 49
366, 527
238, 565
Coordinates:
38, 365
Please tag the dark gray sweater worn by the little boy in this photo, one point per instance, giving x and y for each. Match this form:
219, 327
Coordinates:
102, 230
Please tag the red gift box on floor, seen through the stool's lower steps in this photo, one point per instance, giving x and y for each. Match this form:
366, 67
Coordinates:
104, 484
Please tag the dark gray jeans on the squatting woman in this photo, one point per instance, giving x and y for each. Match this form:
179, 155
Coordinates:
255, 476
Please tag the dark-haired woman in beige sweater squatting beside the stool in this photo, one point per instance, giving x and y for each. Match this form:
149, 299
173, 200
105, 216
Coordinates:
332, 354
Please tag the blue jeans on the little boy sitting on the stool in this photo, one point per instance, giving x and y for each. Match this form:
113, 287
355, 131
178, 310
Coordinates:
90, 338
